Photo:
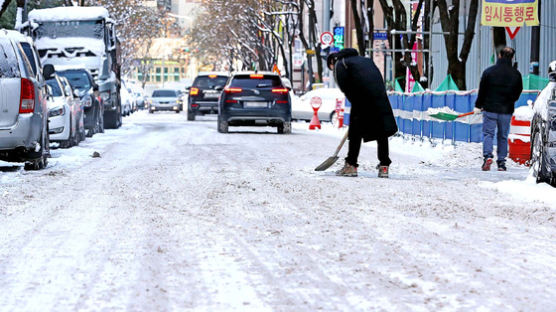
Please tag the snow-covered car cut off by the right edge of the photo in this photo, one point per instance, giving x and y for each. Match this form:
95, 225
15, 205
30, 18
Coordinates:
543, 132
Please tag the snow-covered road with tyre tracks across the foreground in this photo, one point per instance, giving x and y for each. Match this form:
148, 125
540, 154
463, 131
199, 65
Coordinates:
177, 217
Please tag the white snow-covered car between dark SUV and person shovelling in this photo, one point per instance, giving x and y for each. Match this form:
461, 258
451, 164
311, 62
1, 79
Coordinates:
302, 109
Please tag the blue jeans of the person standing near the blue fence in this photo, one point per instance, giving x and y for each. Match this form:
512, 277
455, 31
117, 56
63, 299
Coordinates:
491, 121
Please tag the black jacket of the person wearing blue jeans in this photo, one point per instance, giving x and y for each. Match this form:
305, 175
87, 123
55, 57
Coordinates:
500, 88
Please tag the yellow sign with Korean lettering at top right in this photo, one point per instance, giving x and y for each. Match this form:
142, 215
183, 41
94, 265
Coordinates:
506, 13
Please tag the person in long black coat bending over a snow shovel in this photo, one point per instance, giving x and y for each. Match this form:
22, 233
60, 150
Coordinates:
371, 116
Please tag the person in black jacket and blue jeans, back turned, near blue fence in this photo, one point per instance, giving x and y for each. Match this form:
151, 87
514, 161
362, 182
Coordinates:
500, 88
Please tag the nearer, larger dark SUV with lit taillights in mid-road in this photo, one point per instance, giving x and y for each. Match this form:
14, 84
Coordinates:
255, 99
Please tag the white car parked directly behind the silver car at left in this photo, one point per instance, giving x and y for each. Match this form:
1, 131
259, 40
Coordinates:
65, 113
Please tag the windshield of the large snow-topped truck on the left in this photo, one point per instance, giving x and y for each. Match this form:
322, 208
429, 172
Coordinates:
88, 29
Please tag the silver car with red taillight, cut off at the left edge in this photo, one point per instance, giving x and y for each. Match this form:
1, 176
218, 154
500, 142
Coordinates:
23, 108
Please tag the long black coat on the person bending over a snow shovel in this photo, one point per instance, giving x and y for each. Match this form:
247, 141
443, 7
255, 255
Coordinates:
360, 80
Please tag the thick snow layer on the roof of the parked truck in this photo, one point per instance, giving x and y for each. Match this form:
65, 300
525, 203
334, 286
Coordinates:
68, 14
